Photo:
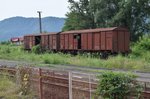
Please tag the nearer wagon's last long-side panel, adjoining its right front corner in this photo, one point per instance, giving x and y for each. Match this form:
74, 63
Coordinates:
108, 40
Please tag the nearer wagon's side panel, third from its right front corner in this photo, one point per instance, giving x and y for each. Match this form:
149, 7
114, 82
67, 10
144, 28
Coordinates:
96, 41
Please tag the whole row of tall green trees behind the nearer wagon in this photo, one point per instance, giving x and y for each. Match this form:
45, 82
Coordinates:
89, 14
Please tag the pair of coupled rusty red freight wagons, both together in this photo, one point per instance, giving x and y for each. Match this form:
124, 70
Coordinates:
101, 40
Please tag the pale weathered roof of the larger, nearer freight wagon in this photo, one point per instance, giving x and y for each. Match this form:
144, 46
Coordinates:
95, 30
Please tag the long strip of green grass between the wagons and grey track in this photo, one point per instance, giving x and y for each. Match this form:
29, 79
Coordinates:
131, 62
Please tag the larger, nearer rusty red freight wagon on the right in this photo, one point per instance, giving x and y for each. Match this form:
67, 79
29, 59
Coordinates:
113, 40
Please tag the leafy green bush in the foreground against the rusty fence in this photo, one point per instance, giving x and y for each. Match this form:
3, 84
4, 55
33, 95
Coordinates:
116, 85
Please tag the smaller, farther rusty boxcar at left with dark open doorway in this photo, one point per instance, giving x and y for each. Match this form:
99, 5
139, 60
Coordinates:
47, 41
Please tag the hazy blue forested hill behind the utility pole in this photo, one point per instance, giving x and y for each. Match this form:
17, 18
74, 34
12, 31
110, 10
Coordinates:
19, 26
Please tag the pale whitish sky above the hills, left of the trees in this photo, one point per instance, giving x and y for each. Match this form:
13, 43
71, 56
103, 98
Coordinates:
29, 8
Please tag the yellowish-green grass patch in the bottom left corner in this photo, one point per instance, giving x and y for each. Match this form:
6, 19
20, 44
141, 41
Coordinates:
10, 89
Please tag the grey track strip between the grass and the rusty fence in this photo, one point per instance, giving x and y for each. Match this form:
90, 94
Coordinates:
142, 76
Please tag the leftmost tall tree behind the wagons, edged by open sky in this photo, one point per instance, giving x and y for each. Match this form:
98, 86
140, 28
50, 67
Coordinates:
79, 16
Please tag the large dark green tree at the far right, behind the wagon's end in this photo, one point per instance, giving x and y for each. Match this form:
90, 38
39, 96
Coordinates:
133, 14
